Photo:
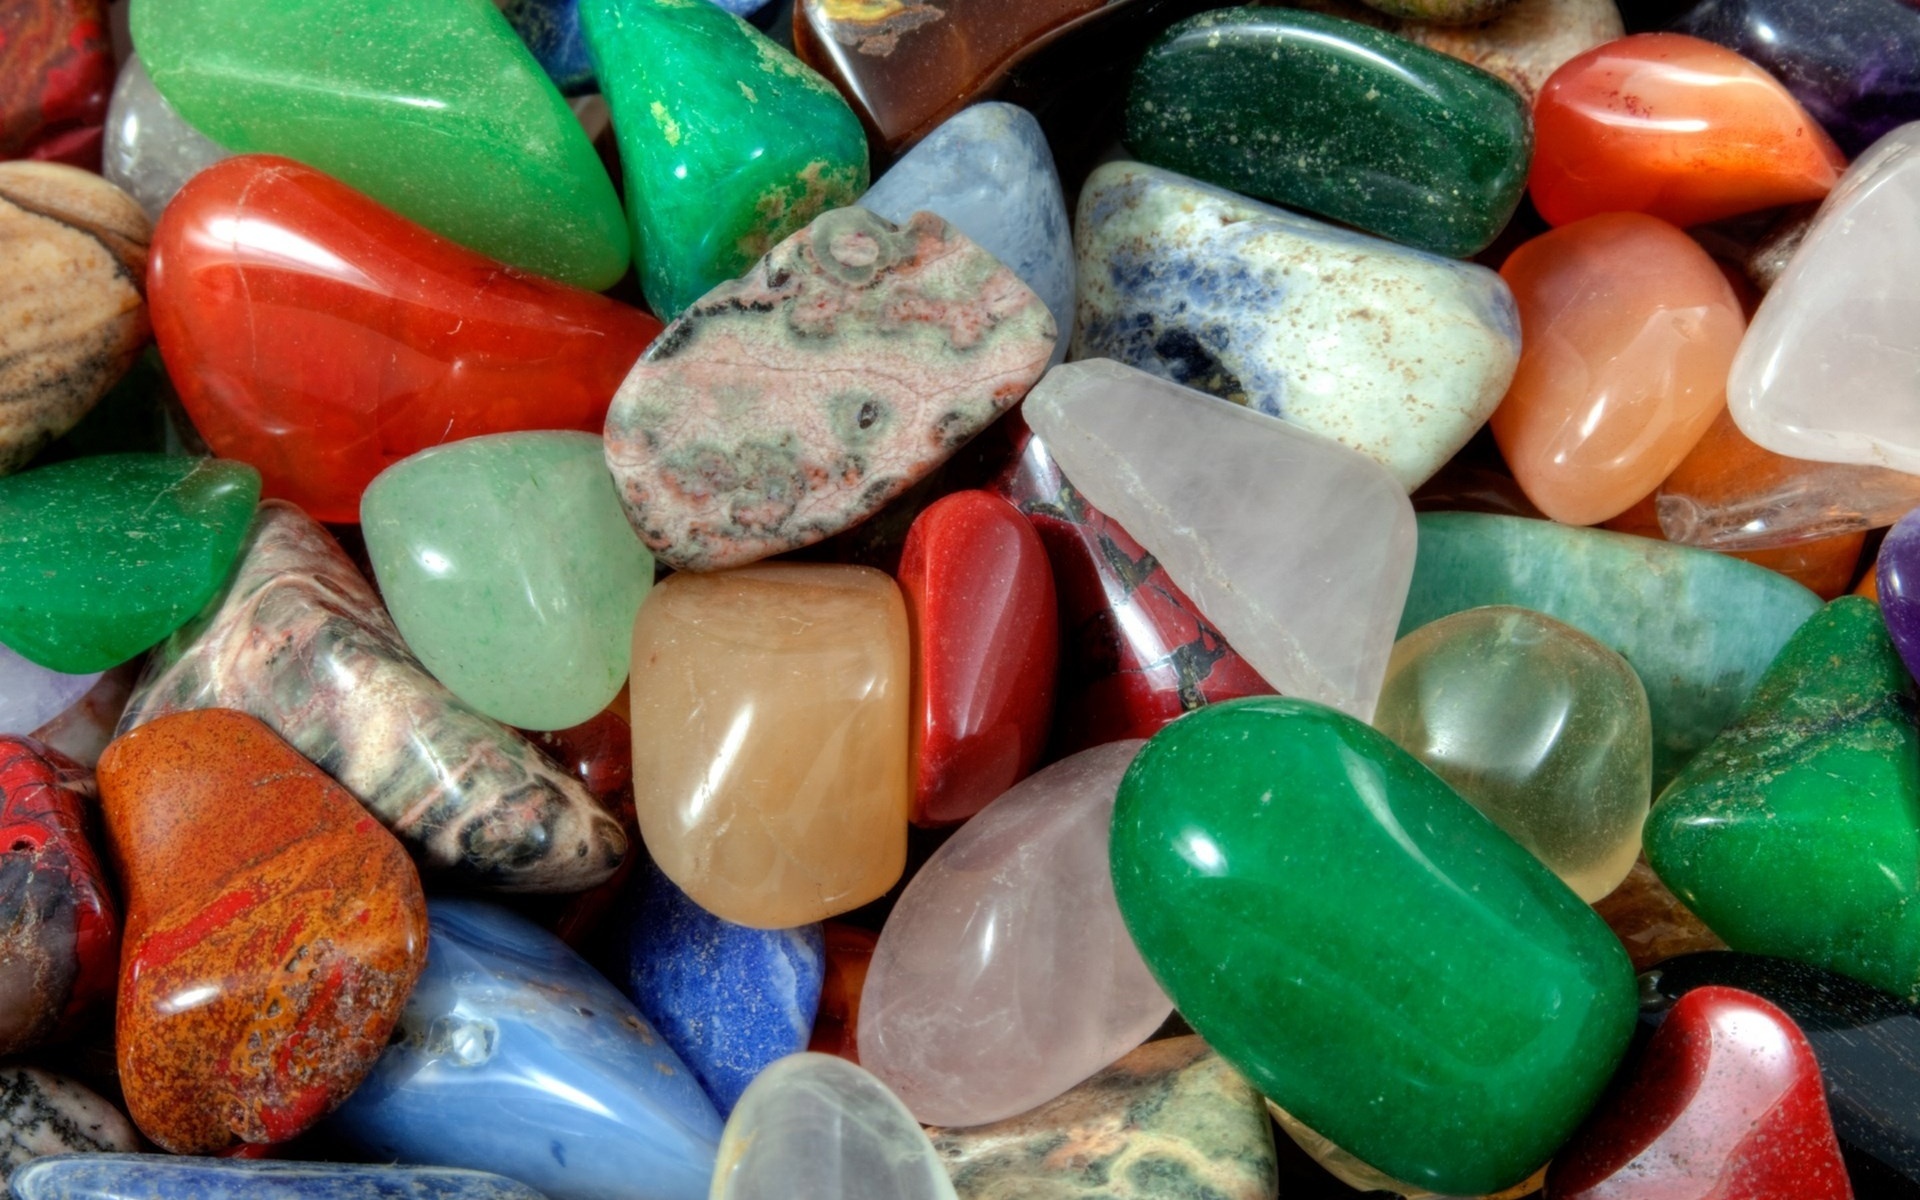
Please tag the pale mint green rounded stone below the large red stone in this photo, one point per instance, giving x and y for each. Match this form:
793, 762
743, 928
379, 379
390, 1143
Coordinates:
512, 571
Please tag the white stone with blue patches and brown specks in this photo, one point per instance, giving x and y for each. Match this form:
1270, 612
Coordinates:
1259, 306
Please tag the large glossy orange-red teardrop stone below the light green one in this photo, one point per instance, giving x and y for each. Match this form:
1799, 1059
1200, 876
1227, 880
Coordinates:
322, 337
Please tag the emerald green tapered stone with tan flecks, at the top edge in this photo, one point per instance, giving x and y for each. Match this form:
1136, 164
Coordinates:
727, 141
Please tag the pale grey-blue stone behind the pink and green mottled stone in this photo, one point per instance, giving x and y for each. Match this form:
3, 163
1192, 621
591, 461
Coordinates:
988, 172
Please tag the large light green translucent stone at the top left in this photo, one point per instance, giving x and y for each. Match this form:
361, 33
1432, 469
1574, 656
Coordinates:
435, 108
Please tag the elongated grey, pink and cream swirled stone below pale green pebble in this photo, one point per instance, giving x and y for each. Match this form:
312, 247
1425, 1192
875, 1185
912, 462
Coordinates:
300, 642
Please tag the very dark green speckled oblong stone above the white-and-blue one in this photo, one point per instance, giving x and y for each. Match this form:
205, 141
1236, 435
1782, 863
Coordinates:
1337, 120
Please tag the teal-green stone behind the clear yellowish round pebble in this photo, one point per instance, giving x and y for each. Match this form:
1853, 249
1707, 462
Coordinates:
1700, 629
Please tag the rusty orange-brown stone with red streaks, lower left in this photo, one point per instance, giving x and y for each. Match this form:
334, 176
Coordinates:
274, 932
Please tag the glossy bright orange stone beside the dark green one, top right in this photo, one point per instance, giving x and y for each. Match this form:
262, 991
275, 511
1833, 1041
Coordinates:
1673, 128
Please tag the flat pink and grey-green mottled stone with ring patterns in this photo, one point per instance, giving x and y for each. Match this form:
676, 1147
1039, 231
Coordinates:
796, 402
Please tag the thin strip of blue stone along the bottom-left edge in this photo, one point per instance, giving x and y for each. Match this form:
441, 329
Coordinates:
164, 1178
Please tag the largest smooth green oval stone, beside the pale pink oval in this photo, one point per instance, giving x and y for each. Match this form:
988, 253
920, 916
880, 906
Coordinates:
1378, 957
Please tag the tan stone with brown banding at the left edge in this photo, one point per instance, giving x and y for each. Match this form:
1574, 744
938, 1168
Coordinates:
72, 310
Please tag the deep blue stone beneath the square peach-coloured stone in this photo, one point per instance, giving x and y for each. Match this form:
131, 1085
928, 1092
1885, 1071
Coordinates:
729, 999
